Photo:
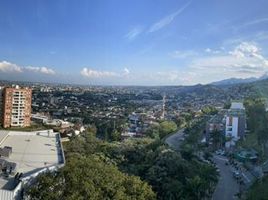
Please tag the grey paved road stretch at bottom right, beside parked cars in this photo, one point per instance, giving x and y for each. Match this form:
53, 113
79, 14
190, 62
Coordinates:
227, 186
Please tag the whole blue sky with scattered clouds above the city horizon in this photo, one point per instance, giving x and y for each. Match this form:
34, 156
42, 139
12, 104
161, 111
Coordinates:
126, 42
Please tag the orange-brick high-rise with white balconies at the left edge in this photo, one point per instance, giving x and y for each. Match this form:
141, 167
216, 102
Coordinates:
17, 104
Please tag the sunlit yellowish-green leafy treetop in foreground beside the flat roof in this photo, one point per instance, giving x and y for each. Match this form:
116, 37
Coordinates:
89, 178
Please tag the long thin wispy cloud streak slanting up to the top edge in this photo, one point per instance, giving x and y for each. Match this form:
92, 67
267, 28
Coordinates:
168, 19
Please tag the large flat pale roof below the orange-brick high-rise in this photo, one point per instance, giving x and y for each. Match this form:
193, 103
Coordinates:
31, 151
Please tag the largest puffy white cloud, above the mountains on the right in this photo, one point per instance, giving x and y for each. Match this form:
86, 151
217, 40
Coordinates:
245, 60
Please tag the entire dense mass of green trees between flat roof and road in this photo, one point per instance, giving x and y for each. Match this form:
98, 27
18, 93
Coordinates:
97, 169
